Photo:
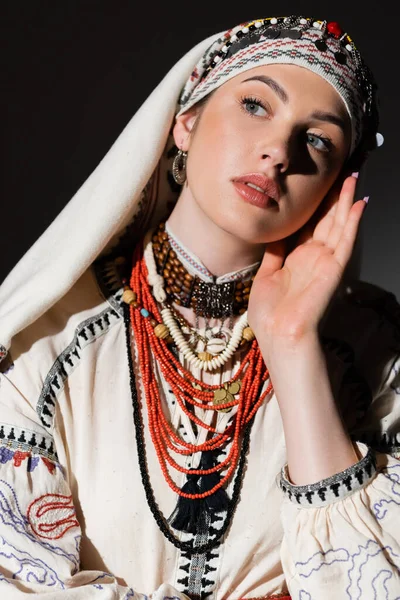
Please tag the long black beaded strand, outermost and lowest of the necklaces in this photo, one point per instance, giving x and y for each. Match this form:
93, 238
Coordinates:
188, 547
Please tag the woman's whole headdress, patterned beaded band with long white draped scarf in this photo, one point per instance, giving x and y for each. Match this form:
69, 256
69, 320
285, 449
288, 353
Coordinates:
133, 182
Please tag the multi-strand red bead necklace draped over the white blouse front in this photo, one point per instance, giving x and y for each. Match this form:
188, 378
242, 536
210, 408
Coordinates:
252, 373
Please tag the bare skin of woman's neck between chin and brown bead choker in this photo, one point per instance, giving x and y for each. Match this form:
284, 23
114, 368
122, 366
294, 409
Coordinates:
219, 250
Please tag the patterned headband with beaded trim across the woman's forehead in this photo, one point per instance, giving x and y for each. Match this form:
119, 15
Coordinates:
319, 46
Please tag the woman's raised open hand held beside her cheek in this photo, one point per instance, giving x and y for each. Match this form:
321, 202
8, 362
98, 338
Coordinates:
289, 296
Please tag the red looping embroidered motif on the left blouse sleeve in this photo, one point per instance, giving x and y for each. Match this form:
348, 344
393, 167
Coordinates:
52, 515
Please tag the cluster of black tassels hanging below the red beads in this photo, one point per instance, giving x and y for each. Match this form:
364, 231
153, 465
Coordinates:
193, 516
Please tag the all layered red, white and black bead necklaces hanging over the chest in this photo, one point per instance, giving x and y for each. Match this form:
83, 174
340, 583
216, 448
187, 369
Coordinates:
156, 330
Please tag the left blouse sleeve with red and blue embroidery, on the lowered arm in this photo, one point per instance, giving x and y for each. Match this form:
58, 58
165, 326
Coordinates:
39, 532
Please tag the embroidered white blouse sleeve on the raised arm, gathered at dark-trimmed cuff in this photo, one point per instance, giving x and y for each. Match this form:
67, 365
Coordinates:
342, 534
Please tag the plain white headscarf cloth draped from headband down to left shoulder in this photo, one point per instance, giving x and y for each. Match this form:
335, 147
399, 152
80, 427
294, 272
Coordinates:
100, 210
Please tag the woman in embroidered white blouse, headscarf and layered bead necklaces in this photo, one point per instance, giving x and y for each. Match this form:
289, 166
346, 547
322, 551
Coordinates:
261, 460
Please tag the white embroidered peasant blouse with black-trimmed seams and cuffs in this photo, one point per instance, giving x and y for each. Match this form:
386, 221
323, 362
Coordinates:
74, 519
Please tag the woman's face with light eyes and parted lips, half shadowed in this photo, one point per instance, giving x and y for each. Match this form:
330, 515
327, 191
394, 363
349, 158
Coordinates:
282, 122
